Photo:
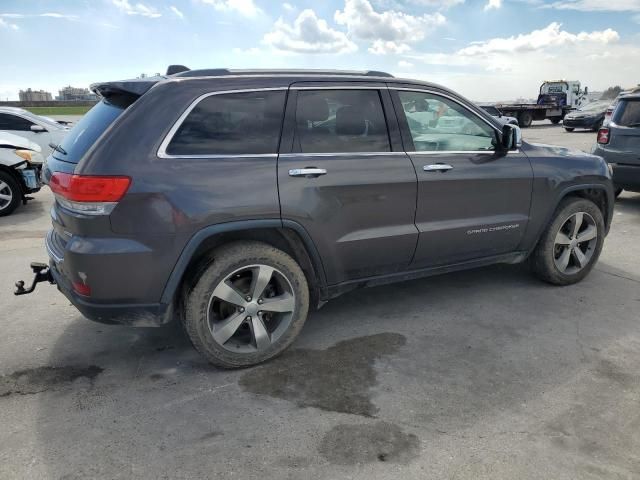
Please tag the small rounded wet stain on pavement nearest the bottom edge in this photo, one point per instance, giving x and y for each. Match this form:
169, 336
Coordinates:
379, 442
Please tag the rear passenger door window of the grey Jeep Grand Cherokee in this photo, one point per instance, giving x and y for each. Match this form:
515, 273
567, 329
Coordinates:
334, 121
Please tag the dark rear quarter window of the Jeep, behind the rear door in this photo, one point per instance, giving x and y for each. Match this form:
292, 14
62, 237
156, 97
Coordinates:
235, 123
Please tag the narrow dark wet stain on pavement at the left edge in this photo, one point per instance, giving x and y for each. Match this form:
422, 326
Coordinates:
42, 379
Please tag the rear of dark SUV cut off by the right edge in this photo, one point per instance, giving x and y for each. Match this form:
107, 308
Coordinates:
619, 143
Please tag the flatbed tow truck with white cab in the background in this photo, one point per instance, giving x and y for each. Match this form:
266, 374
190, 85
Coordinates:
556, 99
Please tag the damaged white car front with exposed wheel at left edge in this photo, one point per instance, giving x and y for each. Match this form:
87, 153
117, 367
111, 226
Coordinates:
20, 166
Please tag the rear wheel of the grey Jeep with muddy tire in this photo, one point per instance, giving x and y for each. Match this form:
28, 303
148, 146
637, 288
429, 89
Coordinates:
247, 306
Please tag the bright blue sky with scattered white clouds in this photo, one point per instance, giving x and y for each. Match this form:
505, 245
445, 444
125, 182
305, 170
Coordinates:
485, 49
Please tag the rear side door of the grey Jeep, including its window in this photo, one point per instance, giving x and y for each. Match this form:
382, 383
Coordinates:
343, 176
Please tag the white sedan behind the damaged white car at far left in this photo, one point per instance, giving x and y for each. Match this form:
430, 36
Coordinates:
37, 129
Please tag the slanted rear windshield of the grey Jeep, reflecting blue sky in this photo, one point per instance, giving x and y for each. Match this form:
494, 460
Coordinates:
84, 134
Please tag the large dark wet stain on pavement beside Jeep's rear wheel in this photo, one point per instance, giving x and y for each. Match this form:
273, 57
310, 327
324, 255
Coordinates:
337, 379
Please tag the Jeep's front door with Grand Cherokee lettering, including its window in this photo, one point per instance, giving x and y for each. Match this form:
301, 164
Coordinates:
472, 201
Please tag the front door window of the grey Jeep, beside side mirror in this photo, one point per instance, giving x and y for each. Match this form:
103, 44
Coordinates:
437, 124
